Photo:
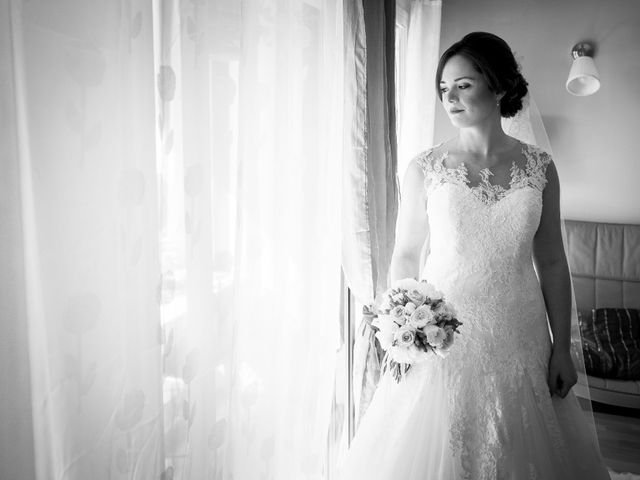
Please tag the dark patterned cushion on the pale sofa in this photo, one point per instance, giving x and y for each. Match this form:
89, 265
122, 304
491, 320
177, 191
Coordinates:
611, 343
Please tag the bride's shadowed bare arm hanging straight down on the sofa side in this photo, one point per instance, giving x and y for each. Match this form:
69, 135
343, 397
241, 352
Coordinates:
553, 271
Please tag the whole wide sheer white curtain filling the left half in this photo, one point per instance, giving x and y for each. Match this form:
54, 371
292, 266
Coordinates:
178, 175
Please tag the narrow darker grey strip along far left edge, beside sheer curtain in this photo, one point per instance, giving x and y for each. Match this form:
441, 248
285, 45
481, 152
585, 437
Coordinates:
17, 458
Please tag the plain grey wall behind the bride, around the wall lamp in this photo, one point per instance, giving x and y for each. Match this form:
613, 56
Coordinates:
595, 139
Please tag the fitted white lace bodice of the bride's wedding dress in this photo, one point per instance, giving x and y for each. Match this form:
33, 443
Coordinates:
481, 236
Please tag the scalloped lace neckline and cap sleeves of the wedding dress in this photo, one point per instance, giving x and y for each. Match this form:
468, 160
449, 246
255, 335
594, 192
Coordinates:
532, 175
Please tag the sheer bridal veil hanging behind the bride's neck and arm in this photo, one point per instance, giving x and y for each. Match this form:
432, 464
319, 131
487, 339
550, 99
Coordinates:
527, 126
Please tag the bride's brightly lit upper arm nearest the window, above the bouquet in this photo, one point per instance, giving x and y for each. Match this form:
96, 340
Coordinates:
412, 225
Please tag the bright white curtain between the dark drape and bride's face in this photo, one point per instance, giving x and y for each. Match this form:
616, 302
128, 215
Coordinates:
417, 55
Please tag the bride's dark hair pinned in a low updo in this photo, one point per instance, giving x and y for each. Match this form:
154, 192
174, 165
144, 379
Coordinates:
492, 57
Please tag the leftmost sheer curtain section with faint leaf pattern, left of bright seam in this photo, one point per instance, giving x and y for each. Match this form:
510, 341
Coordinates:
89, 224
